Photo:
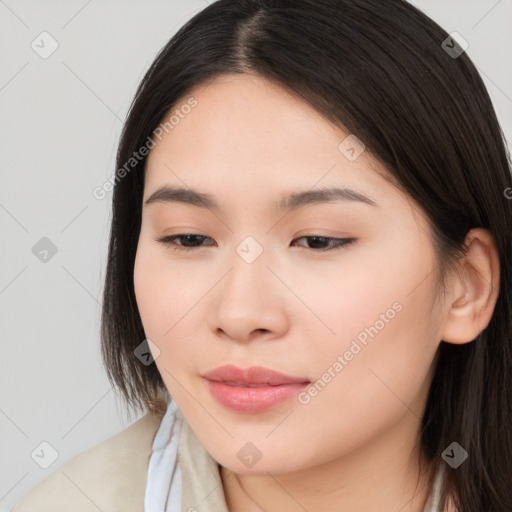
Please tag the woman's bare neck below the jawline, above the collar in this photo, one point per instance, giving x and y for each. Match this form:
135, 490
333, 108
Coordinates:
388, 474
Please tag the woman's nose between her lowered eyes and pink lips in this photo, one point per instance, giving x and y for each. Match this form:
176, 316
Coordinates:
250, 302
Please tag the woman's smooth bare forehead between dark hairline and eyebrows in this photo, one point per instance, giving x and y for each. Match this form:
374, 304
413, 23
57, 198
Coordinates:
247, 136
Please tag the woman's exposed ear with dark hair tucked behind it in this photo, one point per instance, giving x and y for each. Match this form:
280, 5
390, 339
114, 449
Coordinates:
475, 289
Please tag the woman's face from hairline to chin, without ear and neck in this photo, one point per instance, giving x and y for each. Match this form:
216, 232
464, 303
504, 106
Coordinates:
356, 321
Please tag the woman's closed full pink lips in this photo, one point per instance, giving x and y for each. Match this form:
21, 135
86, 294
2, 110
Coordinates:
274, 387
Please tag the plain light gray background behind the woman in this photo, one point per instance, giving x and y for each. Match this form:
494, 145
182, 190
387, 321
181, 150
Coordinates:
60, 120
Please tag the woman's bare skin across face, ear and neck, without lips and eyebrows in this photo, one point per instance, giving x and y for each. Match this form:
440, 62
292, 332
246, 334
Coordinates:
355, 445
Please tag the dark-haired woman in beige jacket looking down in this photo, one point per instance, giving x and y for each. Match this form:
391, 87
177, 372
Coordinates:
309, 247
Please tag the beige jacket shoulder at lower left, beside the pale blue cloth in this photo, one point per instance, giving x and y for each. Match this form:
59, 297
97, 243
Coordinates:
110, 476
